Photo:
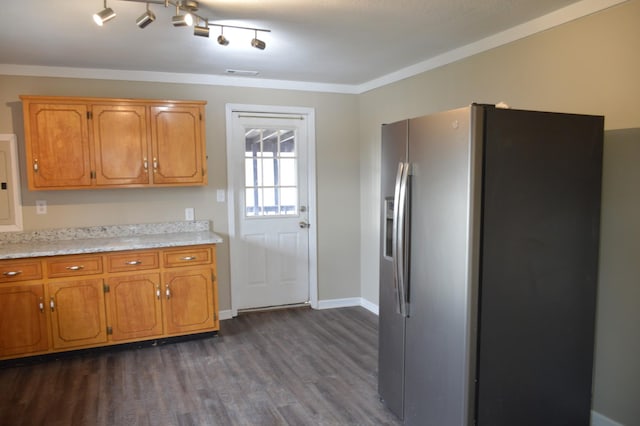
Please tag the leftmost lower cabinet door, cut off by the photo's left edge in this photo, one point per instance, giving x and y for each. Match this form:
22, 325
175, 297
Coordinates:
23, 323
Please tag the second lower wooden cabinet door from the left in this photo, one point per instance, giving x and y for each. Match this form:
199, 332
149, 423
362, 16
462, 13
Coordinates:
77, 313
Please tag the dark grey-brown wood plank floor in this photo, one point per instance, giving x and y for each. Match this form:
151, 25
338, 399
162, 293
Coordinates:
284, 367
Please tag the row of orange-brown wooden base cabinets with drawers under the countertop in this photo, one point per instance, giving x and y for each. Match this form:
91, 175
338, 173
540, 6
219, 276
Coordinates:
142, 295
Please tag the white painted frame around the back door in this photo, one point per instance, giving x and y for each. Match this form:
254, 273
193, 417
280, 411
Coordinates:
309, 114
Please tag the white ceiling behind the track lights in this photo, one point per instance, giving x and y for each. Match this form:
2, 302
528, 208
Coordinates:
331, 42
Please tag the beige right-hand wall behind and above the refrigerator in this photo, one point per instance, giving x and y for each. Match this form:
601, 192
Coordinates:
589, 66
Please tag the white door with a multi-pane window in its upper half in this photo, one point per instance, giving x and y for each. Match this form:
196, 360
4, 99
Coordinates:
268, 171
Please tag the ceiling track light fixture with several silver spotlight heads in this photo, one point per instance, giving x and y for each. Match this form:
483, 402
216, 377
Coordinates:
185, 15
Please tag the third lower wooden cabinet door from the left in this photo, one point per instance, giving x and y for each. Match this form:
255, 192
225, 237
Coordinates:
134, 307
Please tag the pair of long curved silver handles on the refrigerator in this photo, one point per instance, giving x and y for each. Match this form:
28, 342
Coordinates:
398, 240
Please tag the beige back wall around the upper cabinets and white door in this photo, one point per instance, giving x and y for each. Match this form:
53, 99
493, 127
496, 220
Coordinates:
337, 159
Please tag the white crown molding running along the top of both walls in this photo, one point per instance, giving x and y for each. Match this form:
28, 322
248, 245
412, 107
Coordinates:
553, 19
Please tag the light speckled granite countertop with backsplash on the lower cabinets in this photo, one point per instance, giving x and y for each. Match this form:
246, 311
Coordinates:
105, 239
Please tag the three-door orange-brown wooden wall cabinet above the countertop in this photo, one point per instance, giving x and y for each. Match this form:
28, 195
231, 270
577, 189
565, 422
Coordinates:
80, 143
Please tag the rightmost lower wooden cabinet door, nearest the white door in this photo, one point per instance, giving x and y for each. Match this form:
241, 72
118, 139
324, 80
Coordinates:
188, 301
